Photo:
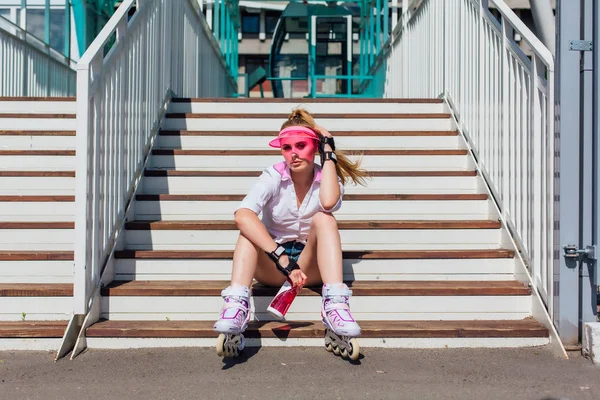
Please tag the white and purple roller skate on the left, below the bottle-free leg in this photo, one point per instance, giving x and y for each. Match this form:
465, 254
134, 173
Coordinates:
233, 321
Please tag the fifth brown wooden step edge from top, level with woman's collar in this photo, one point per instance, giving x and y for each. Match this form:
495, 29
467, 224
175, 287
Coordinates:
373, 174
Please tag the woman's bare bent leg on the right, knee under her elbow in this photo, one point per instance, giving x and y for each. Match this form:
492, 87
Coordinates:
321, 259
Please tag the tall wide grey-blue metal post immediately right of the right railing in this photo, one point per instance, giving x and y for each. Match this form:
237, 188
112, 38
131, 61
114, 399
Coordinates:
566, 279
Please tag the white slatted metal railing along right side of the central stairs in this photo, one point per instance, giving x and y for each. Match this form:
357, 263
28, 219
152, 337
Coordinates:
502, 99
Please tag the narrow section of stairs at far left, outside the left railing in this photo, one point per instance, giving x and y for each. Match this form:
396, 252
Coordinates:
37, 187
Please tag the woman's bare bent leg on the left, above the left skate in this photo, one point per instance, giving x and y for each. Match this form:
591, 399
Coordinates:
249, 262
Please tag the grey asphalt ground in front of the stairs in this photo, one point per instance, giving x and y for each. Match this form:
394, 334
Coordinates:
300, 373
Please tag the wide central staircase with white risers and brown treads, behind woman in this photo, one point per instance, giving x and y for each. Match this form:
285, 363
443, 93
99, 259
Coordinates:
428, 261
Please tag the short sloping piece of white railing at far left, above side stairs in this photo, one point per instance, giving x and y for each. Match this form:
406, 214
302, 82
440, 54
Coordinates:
31, 68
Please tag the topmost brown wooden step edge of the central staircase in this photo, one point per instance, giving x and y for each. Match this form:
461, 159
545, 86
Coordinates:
305, 100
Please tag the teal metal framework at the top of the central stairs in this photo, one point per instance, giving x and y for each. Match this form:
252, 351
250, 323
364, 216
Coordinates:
326, 26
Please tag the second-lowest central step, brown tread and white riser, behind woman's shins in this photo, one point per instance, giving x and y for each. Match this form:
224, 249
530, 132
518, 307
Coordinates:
371, 300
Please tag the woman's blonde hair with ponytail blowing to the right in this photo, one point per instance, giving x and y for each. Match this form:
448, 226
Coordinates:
345, 168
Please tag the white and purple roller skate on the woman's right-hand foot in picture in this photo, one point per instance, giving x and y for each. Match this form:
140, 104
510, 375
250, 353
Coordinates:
341, 328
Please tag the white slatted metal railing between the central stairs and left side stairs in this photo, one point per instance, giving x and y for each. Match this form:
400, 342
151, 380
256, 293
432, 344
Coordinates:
165, 49
